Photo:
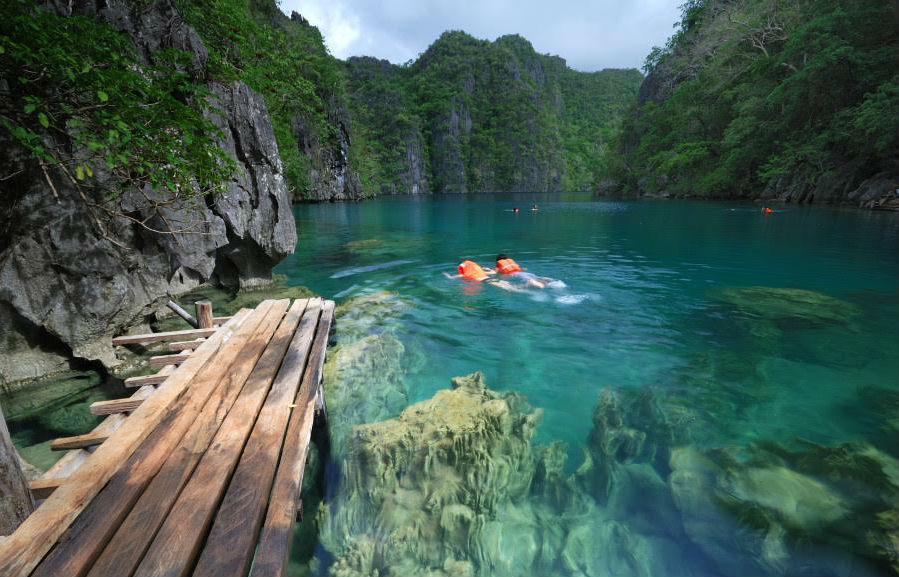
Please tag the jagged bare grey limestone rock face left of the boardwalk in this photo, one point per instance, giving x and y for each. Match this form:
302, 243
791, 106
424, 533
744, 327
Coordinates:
68, 285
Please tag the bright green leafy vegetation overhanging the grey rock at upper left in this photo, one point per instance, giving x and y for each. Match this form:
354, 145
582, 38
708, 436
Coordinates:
76, 99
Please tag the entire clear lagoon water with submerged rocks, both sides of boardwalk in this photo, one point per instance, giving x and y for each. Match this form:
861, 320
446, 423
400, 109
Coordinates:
769, 342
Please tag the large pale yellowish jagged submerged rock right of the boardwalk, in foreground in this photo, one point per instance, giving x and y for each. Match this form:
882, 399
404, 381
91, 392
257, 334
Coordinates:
428, 485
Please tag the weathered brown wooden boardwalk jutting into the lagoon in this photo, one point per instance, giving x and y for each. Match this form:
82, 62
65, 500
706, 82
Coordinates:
199, 471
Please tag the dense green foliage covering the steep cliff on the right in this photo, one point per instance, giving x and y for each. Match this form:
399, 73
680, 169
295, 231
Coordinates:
748, 94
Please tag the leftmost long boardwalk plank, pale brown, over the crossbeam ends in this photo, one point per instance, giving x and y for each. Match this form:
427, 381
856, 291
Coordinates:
25, 548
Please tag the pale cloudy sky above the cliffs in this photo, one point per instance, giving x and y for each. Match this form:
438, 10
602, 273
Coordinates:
589, 34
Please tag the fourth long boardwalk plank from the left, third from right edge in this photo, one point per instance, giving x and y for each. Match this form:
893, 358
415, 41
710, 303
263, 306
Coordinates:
178, 541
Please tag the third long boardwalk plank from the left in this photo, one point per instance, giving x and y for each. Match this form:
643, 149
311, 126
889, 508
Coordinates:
123, 551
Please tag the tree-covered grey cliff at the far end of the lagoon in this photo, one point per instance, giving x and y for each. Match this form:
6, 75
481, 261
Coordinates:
481, 116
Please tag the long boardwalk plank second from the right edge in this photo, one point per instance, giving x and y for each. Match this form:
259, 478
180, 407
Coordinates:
229, 547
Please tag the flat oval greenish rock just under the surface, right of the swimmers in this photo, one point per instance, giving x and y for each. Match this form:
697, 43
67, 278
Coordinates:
786, 304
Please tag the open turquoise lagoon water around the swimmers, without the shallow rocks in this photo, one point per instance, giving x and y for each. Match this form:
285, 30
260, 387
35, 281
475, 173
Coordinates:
653, 302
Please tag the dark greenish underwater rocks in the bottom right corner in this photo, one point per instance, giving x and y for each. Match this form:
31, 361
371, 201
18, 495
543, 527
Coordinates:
777, 507
